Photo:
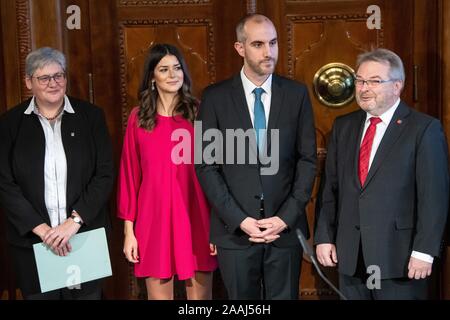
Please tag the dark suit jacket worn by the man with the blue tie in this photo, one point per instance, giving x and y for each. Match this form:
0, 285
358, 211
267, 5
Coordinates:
234, 189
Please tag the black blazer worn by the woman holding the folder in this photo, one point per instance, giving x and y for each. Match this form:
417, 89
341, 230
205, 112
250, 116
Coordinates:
89, 169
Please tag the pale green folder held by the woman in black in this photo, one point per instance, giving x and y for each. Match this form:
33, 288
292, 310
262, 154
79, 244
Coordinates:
88, 260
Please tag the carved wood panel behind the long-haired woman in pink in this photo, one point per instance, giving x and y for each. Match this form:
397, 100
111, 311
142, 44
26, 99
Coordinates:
194, 38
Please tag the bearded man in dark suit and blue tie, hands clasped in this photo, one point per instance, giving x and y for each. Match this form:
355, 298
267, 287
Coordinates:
257, 206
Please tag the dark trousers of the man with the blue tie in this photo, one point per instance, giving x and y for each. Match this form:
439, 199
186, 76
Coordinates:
262, 271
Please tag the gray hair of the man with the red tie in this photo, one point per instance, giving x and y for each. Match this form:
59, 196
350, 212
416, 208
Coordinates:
385, 56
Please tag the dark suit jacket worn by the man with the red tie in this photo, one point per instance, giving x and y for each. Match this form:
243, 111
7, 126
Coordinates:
404, 201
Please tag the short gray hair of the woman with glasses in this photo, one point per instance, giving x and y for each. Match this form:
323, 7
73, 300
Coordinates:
42, 57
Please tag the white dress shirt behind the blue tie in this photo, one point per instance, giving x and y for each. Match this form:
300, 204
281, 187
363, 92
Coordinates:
266, 97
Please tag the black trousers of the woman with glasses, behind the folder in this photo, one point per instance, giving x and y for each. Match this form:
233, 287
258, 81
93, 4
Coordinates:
27, 278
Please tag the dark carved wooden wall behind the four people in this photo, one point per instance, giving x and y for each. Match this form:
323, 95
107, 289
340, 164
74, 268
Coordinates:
106, 55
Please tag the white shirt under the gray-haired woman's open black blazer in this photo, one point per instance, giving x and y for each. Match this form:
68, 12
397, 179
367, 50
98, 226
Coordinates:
55, 165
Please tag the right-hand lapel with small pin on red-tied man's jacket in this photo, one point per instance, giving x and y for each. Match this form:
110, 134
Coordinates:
393, 132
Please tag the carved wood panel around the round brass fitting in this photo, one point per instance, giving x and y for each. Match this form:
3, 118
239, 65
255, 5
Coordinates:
314, 41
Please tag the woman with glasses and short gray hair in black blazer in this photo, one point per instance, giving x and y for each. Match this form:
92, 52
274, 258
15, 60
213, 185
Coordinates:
56, 172
